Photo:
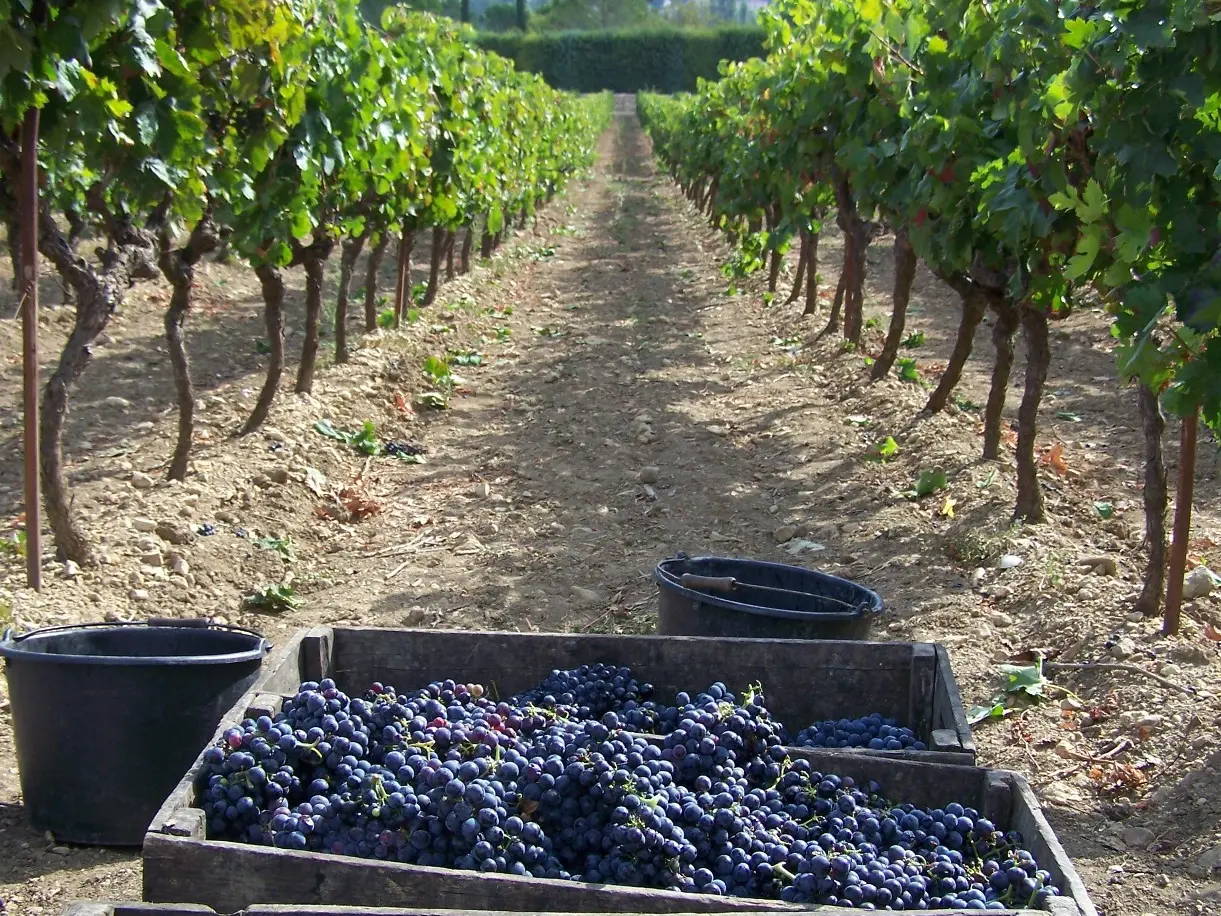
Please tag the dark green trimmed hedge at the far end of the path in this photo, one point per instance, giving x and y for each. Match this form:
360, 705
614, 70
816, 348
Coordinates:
661, 60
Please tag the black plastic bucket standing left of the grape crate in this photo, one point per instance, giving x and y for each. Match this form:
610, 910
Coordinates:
109, 718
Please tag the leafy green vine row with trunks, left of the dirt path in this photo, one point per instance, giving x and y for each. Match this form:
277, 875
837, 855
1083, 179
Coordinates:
278, 131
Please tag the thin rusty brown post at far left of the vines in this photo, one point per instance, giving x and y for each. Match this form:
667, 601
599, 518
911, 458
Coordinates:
29, 206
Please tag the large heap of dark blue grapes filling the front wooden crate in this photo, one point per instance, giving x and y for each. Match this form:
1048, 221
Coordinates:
587, 777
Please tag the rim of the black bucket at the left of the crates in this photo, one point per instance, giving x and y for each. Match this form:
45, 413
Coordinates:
13, 650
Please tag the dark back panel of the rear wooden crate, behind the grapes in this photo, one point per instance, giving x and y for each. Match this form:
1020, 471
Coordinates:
803, 681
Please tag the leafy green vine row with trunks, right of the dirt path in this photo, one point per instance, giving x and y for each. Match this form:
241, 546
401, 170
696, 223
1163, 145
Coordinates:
1030, 152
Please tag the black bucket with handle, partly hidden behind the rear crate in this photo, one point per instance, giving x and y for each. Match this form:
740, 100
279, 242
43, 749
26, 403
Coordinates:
750, 599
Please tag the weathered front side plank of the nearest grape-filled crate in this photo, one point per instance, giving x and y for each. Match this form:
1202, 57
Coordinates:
180, 870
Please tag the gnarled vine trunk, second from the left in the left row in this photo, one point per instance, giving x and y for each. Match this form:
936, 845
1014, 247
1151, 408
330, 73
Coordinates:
179, 267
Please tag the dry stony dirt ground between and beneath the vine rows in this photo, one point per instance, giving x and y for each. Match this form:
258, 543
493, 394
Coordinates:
609, 347
